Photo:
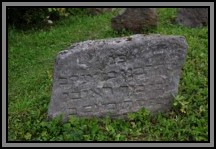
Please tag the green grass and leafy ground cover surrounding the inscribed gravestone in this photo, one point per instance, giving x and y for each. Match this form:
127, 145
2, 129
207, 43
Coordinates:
31, 58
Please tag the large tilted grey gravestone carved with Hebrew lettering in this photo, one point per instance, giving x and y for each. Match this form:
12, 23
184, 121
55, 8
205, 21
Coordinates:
117, 76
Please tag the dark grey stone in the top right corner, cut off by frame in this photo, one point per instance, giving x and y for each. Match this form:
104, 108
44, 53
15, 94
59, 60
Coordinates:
192, 17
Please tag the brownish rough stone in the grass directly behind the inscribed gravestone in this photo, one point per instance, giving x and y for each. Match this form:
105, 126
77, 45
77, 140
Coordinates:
135, 20
